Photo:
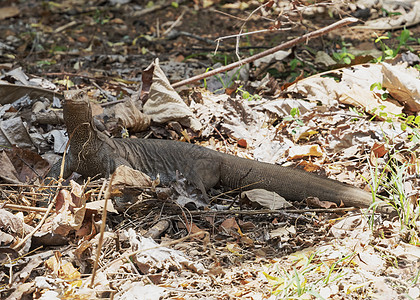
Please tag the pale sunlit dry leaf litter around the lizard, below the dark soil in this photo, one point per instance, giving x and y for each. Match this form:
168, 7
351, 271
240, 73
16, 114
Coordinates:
263, 256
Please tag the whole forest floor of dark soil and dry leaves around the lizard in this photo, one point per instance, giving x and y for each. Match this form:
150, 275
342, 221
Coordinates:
343, 105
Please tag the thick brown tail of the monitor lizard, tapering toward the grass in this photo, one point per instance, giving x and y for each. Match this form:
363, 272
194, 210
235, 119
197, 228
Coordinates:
292, 184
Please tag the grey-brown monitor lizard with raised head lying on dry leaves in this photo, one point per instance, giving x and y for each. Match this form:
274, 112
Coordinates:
92, 153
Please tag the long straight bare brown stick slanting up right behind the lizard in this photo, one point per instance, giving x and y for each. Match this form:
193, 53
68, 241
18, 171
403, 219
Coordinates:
286, 45
